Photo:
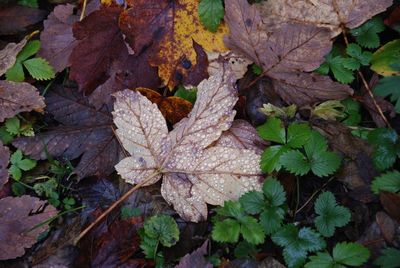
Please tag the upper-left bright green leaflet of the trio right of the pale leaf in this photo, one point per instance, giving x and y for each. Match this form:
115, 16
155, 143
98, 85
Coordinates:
273, 130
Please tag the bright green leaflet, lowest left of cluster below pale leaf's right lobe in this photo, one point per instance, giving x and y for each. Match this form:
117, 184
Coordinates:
227, 230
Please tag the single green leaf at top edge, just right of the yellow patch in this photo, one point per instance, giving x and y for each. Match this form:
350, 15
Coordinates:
211, 13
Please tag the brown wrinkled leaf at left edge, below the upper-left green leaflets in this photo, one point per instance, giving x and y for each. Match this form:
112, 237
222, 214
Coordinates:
18, 97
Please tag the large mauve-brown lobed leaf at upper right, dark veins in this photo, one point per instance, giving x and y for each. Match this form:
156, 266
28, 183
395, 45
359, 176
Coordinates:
285, 54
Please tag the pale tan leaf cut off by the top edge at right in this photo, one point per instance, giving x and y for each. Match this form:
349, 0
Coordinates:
331, 14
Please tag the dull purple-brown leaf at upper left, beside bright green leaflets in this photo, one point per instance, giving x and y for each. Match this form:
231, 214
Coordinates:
57, 40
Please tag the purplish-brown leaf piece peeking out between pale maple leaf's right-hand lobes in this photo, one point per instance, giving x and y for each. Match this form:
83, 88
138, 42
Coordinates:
242, 135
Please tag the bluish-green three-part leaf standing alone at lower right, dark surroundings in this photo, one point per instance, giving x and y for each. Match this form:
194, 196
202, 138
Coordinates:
330, 214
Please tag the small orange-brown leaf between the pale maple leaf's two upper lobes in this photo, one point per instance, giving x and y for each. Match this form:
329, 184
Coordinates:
174, 109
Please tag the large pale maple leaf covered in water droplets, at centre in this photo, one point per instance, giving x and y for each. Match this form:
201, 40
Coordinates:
194, 171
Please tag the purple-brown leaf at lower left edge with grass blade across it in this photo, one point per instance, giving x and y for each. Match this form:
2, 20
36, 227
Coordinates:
18, 216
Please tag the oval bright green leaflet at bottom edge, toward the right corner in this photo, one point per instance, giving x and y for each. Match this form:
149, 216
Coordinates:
351, 254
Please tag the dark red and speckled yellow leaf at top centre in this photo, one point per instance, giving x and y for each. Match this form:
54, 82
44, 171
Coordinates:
171, 30
